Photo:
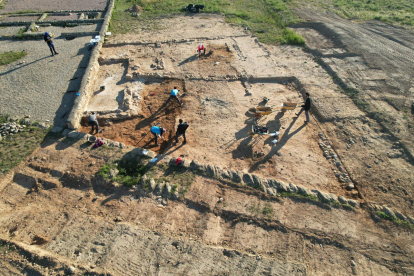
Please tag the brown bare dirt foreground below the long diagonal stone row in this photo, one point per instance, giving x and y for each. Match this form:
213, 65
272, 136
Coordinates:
99, 227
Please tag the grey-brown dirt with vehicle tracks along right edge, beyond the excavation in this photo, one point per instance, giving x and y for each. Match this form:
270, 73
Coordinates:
376, 59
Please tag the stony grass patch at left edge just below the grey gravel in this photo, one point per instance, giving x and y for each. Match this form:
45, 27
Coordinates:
16, 148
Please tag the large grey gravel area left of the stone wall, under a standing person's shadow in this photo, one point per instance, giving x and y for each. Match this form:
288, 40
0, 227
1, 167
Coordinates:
39, 86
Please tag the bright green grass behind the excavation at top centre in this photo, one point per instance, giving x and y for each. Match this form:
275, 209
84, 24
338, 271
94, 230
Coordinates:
267, 19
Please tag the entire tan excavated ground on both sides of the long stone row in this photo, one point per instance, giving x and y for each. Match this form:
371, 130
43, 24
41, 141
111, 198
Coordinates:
58, 205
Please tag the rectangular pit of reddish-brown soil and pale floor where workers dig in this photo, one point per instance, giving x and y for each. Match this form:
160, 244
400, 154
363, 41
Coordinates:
132, 125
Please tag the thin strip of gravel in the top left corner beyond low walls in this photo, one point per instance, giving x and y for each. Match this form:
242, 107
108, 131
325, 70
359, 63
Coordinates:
53, 5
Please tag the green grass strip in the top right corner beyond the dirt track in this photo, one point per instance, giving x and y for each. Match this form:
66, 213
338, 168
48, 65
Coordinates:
391, 11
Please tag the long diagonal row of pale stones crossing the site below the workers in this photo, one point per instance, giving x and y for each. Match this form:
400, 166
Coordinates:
267, 185
